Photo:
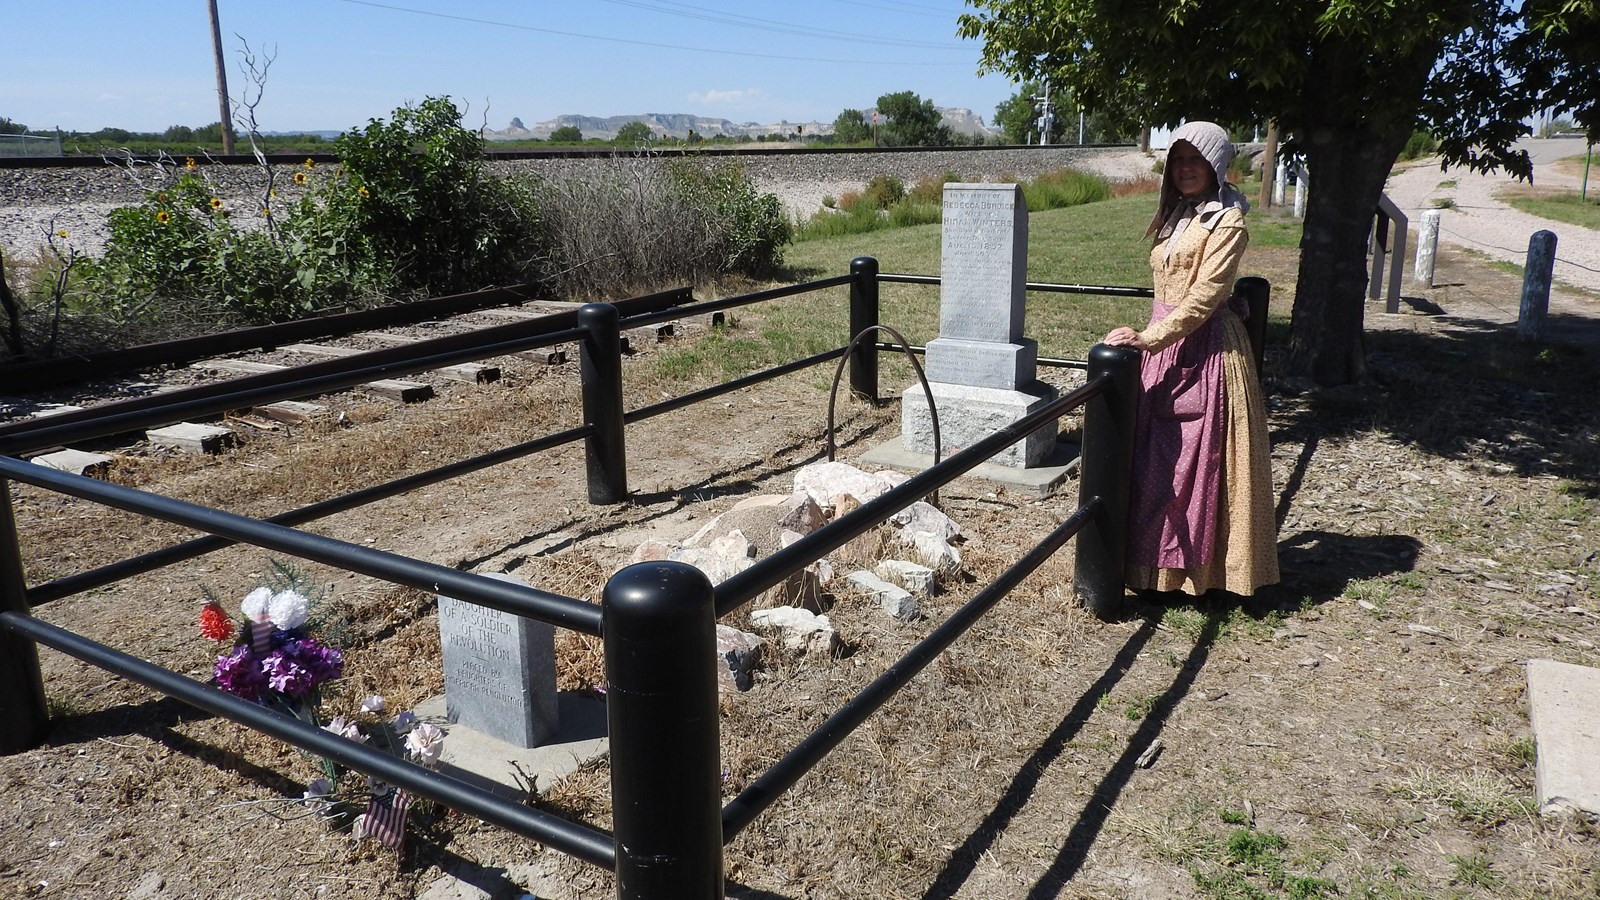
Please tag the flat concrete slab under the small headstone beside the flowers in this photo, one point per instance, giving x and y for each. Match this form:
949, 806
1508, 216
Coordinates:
506, 769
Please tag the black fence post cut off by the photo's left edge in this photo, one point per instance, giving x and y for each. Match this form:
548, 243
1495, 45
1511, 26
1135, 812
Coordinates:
22, 685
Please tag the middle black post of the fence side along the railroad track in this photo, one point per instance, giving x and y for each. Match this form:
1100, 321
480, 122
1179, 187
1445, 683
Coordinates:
601, 368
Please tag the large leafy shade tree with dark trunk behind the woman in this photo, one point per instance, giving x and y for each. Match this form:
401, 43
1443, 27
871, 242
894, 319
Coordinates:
1348, 81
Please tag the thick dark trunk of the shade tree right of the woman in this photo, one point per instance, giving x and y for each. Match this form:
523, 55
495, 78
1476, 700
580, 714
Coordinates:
1348, 172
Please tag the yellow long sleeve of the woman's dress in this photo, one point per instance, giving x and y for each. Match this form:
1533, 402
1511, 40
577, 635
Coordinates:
1198, 278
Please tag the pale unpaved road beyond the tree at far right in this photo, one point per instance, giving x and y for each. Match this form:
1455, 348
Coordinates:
1481, 222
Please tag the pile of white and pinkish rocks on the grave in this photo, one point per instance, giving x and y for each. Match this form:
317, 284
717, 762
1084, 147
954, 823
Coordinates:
894, 566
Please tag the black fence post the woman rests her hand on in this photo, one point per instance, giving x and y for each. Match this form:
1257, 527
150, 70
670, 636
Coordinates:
1106, 472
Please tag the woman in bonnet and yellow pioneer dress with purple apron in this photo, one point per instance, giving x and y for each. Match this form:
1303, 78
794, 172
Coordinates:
1201, 516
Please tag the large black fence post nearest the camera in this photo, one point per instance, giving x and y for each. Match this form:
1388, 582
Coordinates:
660, 627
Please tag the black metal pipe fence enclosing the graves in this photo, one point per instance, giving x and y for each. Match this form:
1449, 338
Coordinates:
657, 619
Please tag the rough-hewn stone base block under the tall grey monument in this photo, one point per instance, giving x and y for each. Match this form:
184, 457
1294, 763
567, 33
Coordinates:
967, 416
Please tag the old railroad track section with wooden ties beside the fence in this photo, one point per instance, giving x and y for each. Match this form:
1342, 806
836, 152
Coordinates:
39, 401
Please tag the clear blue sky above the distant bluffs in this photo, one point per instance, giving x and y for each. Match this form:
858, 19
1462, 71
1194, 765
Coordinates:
86, 65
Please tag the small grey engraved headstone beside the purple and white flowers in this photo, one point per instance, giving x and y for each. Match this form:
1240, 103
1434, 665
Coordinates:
500, 672
